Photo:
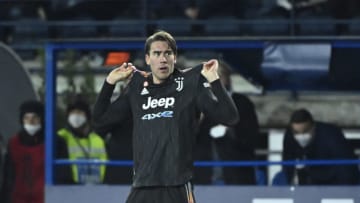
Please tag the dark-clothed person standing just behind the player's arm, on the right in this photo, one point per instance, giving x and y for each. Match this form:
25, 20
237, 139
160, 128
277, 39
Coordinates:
228, 143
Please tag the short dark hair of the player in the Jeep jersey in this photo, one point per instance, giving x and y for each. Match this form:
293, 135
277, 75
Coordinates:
161, 36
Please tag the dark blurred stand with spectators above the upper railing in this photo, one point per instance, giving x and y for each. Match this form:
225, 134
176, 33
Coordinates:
157, 9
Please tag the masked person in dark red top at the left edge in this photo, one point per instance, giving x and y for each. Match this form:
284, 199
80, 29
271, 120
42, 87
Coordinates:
23, 177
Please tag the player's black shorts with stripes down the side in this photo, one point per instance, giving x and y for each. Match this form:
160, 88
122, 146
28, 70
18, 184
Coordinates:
168, 194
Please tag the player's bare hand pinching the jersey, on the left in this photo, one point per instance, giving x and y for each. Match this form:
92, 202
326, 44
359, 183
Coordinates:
120, 73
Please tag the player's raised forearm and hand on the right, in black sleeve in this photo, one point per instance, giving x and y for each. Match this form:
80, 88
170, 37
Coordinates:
213, 100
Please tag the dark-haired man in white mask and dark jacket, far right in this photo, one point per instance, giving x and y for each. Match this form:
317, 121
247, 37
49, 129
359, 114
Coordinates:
306, 139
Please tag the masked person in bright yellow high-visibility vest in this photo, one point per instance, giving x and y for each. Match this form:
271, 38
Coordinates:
81, 143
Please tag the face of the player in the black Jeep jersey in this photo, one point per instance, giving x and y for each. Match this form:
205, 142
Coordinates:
161, 60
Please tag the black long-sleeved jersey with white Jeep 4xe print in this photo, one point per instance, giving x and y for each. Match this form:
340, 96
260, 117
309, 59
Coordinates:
165, 120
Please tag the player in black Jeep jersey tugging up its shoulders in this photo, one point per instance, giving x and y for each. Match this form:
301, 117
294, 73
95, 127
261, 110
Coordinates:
165, 106
